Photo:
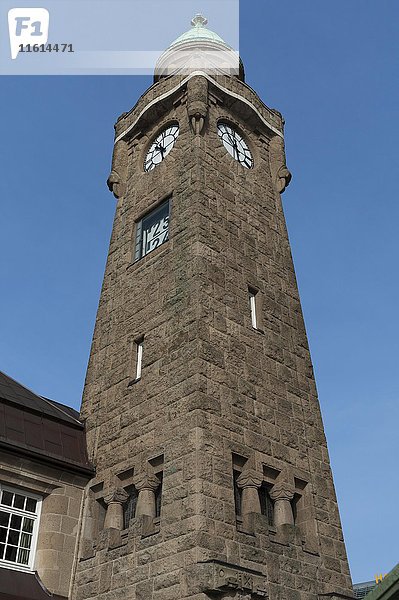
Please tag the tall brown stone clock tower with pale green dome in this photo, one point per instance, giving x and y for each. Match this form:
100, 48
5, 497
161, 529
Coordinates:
212, 472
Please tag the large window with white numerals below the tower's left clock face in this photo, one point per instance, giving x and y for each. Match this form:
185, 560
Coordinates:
152, 231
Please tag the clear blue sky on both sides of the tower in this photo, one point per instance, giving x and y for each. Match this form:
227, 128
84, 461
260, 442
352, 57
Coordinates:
332, 69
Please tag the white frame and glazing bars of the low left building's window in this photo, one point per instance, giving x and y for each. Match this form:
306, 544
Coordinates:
23, 513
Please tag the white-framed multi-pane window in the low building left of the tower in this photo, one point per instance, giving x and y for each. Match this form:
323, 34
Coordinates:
19, 522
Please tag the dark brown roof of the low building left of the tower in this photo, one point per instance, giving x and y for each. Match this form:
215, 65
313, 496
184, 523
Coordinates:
40, 428
